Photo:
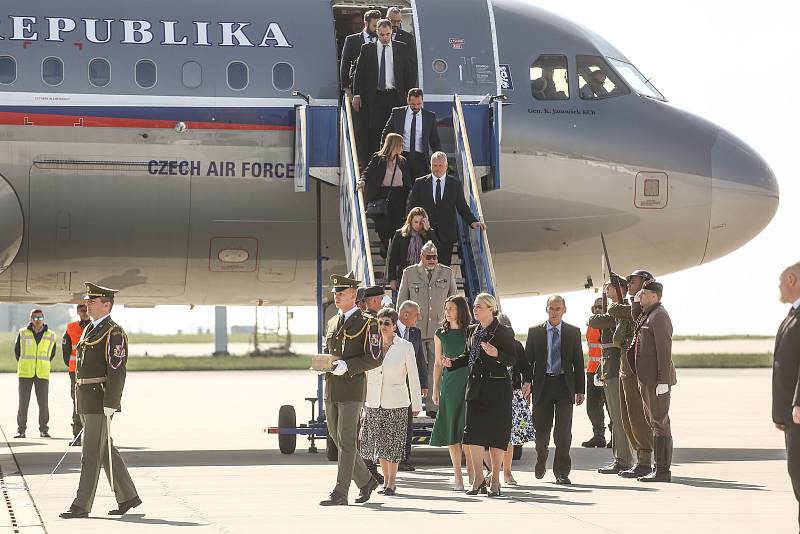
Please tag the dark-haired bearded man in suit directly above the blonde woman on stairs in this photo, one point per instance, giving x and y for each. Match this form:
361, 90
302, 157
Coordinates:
419, 131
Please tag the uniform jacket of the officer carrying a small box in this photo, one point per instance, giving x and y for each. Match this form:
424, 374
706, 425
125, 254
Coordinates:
351, 343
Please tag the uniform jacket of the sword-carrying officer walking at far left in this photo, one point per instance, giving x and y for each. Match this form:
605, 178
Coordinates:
101, 352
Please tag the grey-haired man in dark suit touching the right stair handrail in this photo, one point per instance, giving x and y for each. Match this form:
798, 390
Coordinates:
442, 196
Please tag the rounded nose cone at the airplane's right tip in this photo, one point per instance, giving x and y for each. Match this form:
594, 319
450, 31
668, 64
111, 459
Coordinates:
744, 195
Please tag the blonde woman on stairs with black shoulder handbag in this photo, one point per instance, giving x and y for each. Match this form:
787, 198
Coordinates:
386, 183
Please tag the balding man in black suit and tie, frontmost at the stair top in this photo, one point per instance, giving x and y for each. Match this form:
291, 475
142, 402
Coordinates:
383, 77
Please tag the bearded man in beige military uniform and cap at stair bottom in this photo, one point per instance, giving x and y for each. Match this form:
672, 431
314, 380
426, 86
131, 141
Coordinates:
428, 283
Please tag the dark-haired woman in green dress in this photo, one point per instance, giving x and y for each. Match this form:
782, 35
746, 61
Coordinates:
449, 385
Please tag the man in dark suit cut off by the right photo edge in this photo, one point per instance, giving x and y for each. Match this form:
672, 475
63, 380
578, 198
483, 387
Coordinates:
786, 375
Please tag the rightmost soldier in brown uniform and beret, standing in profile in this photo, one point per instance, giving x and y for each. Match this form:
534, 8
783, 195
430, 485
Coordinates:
656, 374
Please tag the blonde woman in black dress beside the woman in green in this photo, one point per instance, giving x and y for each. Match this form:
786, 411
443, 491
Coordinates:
489, 352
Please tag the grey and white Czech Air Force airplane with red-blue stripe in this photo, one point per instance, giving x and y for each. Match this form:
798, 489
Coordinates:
149, 146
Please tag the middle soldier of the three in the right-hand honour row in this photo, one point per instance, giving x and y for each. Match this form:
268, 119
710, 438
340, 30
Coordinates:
630, 399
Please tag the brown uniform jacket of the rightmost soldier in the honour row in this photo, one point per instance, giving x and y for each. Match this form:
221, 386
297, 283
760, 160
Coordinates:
654, 348
